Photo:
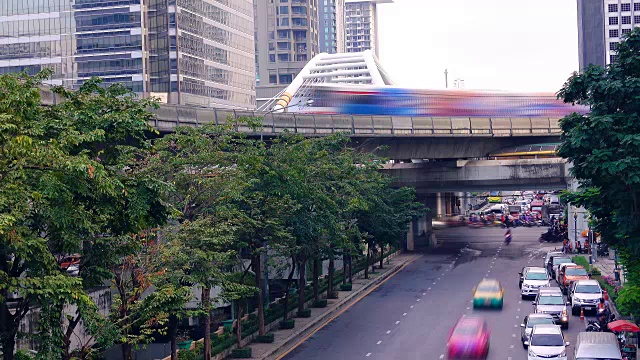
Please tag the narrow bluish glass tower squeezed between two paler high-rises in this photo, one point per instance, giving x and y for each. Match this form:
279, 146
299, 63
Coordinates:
331, 26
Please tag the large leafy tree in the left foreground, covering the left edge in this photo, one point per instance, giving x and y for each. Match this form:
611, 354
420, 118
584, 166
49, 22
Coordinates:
64, 184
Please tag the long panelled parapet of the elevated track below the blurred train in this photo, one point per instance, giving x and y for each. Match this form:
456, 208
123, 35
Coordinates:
169, 116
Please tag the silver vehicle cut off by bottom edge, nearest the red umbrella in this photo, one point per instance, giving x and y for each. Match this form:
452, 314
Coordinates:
597, 346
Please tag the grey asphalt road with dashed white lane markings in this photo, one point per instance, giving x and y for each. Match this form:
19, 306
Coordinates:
410, 315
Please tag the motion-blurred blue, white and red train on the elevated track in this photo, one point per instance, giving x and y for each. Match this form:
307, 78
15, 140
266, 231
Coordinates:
390, 100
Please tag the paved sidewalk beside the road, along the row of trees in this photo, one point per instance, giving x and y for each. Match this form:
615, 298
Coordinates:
286, 339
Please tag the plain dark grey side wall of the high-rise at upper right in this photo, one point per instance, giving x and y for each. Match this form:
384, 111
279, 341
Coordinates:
591, 33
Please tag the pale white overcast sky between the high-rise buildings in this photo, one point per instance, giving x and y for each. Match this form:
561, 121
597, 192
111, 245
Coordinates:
491, 44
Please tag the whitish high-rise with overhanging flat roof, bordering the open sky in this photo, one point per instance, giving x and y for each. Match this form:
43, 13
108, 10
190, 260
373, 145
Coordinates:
362, 25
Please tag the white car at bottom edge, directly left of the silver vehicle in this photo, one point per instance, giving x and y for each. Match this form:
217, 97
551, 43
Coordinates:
546, 342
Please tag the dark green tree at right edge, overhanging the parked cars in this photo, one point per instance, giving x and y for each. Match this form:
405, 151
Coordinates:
604, 147
